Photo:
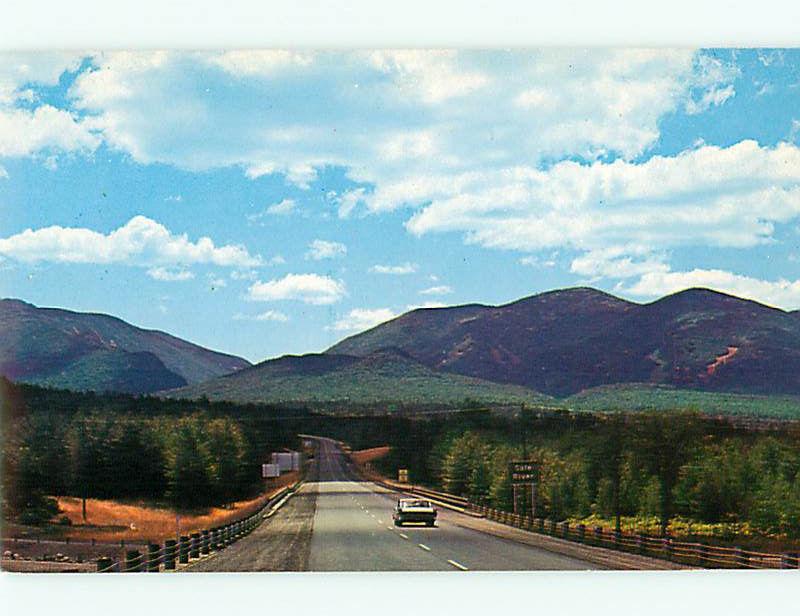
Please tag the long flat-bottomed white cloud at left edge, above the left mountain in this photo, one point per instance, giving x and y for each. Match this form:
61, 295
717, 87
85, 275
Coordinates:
141, 241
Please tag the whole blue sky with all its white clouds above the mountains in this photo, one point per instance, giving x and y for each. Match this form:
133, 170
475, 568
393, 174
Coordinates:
271, 202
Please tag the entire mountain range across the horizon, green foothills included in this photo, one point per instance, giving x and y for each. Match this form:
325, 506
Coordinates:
553, 344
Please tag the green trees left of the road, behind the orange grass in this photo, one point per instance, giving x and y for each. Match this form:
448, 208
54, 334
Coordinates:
186, 462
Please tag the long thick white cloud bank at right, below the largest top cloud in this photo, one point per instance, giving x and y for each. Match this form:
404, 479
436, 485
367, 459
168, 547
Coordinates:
708, 196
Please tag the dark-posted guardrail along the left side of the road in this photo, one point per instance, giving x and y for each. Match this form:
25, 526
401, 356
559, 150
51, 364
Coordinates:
154, 557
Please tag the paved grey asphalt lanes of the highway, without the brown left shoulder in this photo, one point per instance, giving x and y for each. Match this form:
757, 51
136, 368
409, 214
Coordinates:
353, 531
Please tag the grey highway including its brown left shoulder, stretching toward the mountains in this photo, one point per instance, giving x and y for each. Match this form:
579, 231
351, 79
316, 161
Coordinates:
337, 522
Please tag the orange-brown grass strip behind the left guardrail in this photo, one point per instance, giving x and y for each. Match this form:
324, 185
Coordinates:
109, 520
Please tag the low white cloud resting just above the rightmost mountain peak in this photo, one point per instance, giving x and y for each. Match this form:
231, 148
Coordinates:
781, 293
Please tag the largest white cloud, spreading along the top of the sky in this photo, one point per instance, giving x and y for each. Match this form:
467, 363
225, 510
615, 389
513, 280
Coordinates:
385, 120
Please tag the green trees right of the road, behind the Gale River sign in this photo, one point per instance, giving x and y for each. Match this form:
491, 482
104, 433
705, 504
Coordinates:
641, 465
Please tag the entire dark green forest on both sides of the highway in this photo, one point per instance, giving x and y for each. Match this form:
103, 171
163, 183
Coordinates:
675, 472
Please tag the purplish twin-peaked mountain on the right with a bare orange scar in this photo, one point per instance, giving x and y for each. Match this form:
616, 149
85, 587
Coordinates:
565, 341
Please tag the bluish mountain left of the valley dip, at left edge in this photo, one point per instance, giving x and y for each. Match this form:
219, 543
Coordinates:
85, 351
